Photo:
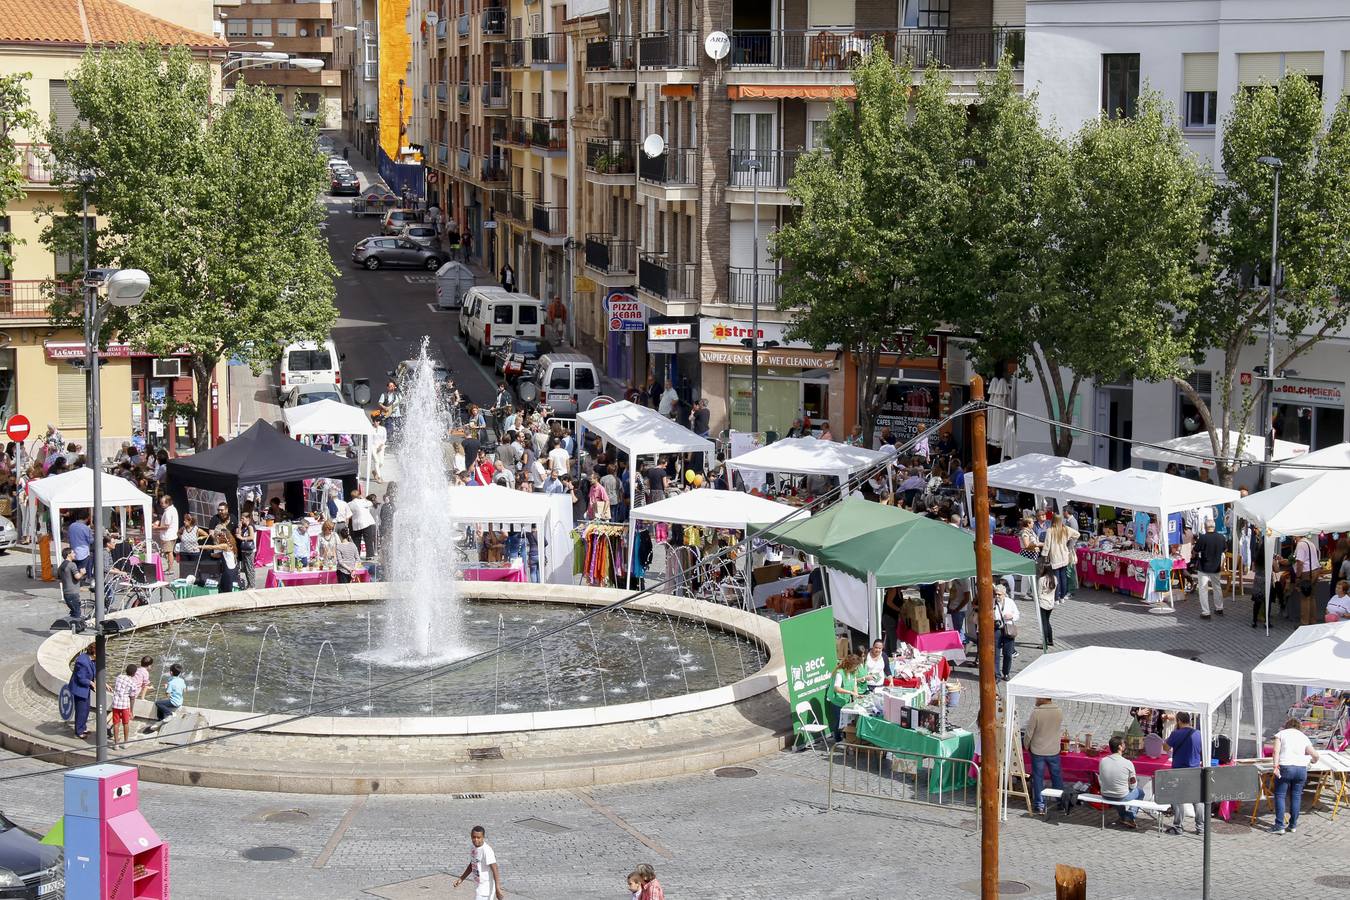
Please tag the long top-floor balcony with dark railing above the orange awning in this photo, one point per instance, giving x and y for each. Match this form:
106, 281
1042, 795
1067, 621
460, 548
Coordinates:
839, 51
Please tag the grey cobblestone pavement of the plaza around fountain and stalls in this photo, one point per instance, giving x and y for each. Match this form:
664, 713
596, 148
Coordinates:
708, 837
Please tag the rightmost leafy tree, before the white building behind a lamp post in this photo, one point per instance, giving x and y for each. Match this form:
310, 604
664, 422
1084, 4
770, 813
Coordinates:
1287, 122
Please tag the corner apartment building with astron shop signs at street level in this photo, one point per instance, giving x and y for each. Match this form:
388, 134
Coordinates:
677, 230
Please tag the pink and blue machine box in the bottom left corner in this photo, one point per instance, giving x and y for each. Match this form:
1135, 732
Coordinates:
111, 851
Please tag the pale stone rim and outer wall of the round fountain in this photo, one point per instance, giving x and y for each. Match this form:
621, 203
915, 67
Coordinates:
550, 748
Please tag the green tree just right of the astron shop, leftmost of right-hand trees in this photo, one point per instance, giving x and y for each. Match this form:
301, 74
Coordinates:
870, 233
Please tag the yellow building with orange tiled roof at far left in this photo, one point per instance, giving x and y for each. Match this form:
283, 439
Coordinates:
41, 372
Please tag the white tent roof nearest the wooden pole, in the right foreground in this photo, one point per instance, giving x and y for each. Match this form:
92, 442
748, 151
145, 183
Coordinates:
1128, 678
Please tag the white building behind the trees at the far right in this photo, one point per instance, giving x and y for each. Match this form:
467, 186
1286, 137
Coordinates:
1087, 59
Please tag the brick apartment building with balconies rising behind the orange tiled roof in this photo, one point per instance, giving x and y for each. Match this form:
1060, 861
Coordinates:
299, 28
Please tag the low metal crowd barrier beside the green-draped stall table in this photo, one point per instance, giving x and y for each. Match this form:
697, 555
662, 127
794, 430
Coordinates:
866, 771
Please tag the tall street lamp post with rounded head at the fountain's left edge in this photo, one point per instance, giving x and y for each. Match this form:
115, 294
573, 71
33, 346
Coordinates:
124, 288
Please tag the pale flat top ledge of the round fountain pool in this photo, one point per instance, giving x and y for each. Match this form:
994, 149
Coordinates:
53, 659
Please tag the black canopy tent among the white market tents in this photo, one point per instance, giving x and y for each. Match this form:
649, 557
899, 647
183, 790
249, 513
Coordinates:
261, 455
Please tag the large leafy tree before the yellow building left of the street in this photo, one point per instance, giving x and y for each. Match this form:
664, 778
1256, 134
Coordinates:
218, 203
